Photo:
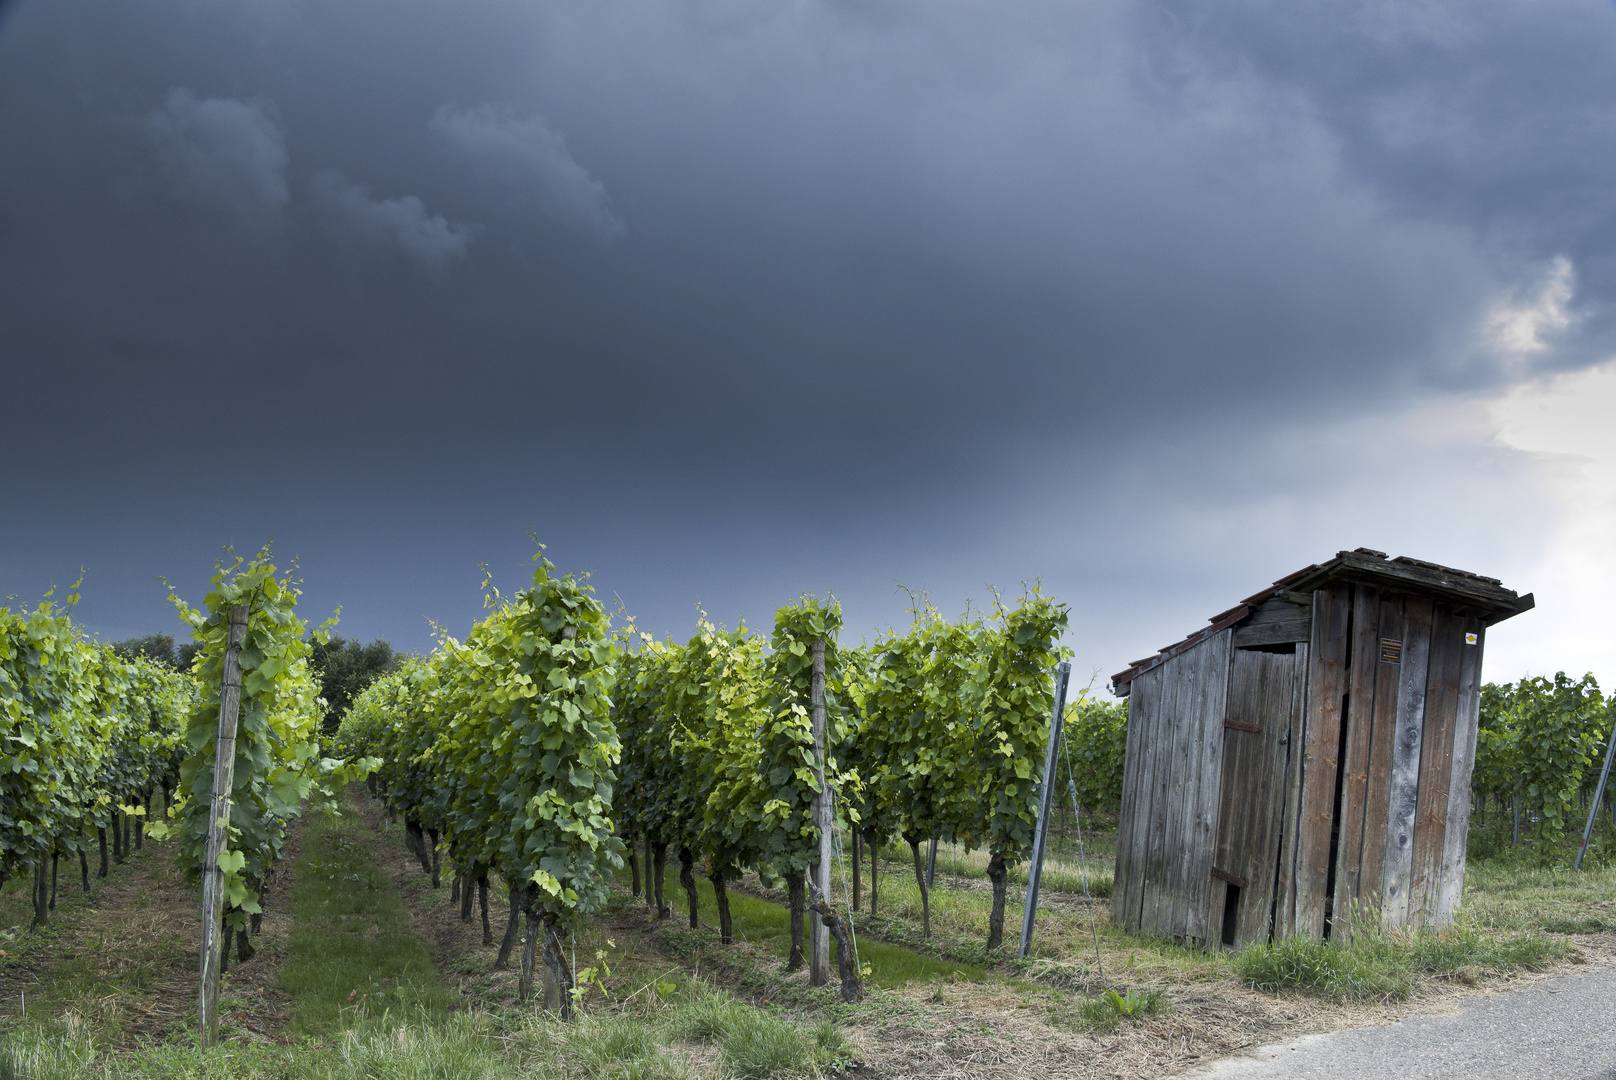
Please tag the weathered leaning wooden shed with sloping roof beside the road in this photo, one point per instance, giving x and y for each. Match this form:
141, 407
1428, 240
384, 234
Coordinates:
1305, 762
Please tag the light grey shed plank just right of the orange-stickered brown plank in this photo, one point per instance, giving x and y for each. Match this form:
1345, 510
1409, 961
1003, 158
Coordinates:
1403, 798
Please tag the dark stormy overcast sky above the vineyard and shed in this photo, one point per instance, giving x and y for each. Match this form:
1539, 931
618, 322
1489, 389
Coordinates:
734, 300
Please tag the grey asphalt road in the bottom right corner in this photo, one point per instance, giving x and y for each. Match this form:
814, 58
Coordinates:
1562, 1029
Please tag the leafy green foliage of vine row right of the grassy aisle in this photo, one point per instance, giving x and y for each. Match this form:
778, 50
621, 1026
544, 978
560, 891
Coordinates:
507, 743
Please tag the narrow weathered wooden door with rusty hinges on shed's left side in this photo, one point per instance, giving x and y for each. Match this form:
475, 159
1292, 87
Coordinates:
1265, 704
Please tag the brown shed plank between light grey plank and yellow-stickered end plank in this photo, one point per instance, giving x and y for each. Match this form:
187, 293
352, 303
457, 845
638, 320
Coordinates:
1436, 759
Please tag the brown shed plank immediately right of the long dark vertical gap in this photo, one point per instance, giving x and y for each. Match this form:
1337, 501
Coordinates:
1355, 770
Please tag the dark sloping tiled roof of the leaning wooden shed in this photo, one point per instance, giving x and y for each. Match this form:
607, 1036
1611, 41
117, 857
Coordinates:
1481, 594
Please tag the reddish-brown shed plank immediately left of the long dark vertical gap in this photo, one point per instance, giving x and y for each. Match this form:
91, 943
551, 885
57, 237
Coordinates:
1321, 753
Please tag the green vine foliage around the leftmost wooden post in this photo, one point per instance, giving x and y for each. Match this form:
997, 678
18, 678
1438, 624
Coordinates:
277, 756
